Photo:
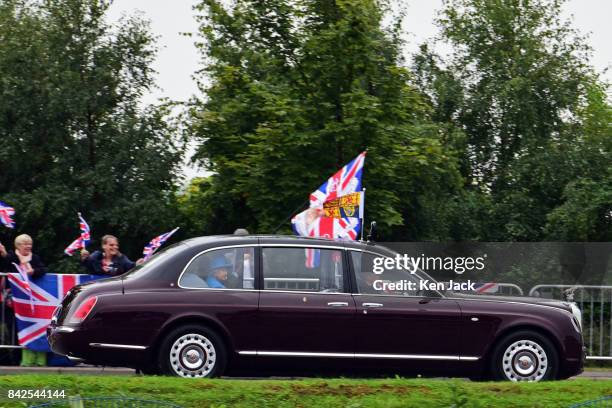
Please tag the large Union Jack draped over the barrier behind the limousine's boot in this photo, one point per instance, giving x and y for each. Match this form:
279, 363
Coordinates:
35, 301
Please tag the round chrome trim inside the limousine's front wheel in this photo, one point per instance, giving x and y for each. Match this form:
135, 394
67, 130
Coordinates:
524, 360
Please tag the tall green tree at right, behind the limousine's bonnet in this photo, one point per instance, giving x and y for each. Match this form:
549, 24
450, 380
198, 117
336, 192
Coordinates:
518, 84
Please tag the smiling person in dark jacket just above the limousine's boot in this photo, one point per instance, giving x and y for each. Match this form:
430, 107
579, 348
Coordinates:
109, 261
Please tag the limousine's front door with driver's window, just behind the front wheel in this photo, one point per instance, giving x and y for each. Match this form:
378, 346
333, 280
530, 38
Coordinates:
402, 322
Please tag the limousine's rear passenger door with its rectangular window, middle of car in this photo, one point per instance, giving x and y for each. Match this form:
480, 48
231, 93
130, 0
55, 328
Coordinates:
304, 308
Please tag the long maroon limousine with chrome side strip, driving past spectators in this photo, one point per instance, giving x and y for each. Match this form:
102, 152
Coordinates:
206, 305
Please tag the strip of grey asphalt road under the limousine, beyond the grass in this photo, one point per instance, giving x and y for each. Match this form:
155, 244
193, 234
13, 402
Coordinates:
90, 370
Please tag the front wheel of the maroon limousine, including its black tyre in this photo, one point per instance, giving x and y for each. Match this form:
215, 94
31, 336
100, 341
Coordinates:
525, 356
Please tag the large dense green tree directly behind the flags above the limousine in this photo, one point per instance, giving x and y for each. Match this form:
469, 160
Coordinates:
296, 89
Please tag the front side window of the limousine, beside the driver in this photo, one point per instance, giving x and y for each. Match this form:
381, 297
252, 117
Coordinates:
398, 282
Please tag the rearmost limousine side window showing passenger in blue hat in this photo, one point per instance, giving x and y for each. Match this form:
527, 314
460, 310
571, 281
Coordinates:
228, 268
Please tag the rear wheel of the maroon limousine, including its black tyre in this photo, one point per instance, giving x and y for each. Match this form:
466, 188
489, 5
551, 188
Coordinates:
193, 351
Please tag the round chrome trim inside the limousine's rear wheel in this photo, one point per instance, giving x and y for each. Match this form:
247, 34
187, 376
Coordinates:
192, 356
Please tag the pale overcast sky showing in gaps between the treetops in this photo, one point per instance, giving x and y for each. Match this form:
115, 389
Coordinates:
178, 59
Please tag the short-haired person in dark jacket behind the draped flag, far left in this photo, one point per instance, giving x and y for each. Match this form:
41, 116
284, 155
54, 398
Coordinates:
35, 268
